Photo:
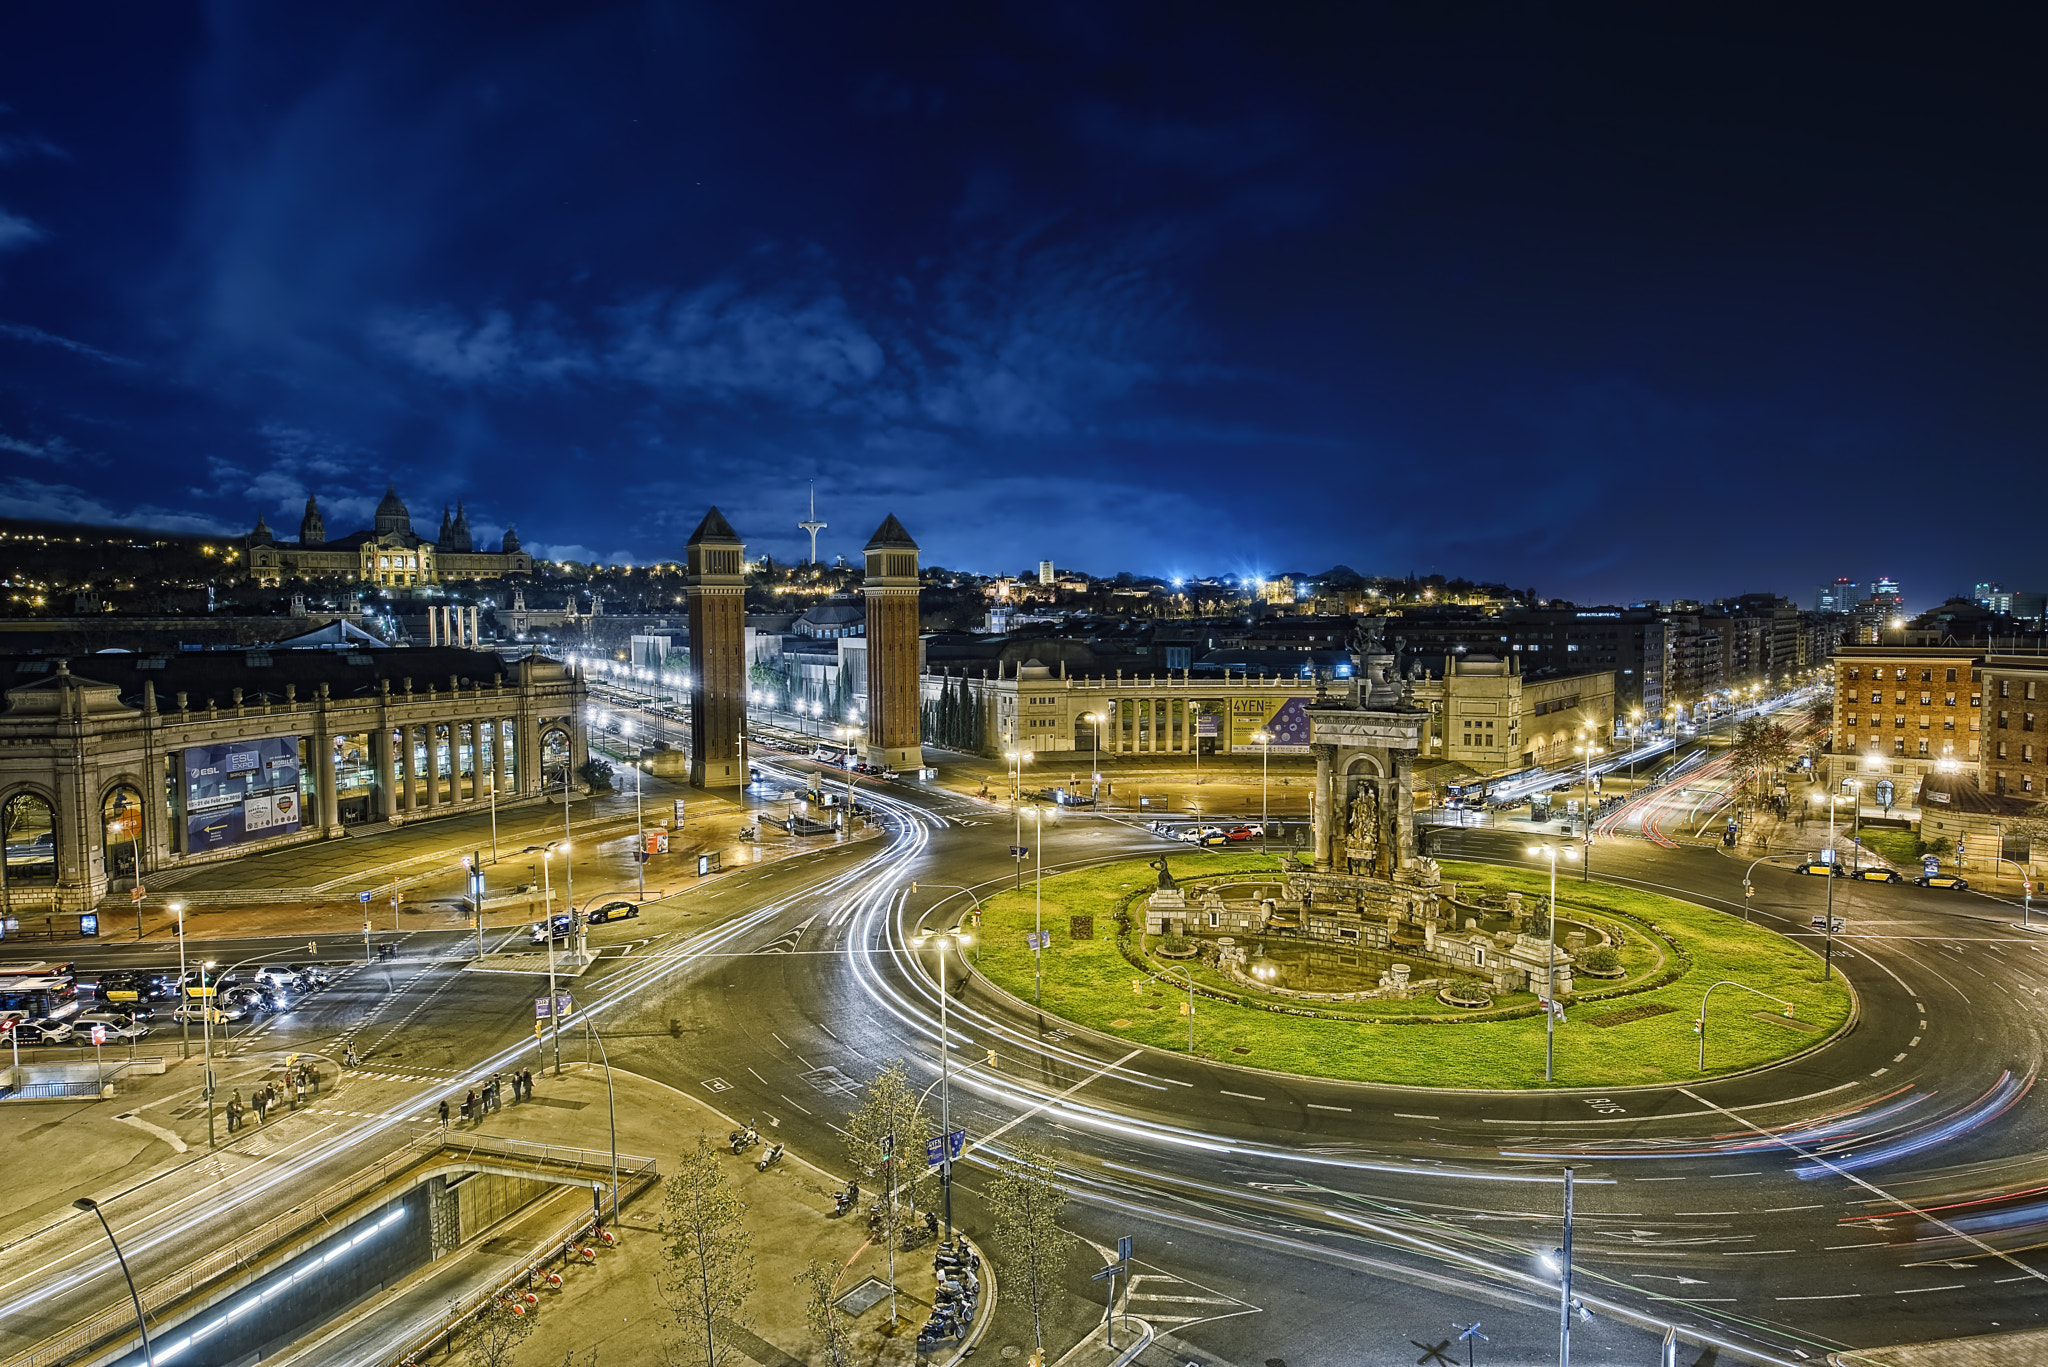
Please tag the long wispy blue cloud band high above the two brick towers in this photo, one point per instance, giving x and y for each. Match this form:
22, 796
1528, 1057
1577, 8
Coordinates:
1019, 339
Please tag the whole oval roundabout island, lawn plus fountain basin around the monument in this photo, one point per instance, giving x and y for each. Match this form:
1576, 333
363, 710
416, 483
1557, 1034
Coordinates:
1641, 968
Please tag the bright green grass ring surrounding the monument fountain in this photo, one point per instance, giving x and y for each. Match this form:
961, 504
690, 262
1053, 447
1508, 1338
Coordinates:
1091, 983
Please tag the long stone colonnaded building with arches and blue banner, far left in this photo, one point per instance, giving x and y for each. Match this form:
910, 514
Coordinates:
169, 761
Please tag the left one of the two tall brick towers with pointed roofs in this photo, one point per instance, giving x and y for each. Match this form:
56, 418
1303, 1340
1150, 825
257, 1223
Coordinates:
716, 585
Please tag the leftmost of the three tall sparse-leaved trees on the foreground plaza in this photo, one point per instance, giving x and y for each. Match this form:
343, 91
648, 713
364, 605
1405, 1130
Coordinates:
710, 1257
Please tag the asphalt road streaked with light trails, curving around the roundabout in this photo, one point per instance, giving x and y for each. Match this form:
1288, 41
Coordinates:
1770, 1216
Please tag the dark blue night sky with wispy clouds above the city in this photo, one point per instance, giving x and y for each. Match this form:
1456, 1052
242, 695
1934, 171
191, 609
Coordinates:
1605, 302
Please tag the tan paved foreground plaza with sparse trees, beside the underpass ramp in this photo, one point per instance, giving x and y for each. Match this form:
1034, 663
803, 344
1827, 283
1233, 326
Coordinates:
613, 1309
